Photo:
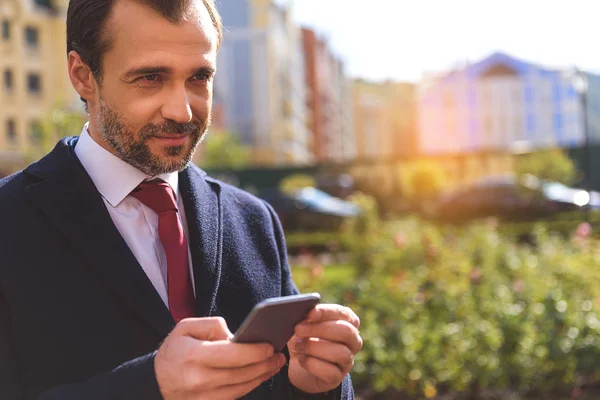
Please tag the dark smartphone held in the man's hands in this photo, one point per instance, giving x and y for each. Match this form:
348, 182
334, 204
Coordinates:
273, 320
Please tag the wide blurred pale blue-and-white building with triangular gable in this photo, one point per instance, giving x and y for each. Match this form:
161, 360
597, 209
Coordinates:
502, 104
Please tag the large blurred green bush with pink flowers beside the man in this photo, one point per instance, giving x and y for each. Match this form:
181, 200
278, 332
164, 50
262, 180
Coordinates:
468, 312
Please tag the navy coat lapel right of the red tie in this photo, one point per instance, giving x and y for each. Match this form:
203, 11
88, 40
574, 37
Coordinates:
204, 219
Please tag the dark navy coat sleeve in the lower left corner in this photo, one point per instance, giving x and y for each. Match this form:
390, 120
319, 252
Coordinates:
134, 379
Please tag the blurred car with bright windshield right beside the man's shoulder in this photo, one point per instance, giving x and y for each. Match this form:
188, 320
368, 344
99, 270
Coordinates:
309, 209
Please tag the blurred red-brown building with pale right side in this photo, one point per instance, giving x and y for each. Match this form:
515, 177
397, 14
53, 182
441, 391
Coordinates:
328, 101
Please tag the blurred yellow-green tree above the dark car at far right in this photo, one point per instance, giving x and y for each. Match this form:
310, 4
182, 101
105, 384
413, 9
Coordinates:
551, 165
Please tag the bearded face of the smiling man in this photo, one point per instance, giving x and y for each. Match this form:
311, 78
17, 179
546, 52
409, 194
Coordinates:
155, 94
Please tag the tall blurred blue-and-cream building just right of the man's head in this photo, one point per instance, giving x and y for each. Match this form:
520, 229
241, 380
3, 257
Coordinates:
260, 83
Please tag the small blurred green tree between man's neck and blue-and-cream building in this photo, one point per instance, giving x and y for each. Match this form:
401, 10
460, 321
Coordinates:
223, 150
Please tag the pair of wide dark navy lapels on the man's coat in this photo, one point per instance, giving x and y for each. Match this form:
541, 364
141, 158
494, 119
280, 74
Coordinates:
66, 195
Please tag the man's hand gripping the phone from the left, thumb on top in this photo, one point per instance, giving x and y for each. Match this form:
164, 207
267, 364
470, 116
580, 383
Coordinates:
199, 361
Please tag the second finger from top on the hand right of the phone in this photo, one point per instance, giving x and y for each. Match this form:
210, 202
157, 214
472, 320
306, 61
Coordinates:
333, 331
